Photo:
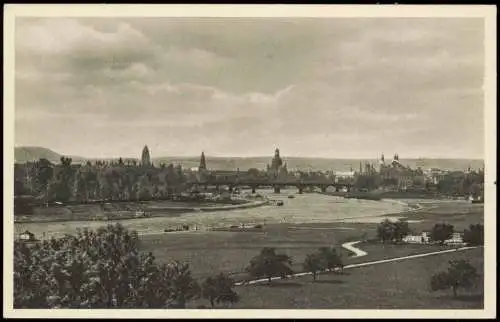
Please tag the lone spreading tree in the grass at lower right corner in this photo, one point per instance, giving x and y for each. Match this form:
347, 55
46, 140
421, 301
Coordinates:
460, 274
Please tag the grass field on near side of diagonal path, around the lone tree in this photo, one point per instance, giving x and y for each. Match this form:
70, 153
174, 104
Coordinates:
396, 285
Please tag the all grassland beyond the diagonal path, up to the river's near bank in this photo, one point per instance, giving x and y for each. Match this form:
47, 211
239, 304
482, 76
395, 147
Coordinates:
209, 253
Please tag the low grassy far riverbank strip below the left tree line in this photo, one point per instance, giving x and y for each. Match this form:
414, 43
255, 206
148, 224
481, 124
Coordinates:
153, 209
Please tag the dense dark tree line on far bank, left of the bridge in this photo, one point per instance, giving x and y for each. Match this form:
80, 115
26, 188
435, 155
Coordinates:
98, 181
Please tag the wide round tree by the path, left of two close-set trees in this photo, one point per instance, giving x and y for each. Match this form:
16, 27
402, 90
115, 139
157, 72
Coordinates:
270, 264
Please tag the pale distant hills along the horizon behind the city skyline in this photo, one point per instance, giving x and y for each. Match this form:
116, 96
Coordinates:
23, 154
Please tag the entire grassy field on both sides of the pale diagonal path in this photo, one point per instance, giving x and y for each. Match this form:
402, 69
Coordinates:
403, 284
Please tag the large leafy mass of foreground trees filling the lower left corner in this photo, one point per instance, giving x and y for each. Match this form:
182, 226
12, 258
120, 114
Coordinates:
97, 269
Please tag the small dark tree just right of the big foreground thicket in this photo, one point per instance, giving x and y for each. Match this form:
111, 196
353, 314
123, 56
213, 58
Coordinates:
219, 289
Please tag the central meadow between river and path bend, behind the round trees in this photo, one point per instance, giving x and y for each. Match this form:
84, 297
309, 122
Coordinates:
209, 253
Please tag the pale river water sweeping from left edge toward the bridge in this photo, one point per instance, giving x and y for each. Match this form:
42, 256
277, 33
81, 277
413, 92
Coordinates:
304, 208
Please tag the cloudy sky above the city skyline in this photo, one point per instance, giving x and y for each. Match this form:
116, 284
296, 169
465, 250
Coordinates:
334, 87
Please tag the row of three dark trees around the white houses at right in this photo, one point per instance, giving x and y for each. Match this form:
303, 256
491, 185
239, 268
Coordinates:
389, 231
